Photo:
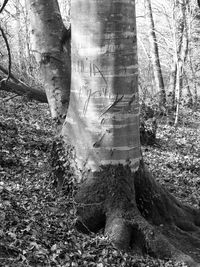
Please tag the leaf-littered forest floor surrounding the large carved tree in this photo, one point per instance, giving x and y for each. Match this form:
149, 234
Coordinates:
37, 223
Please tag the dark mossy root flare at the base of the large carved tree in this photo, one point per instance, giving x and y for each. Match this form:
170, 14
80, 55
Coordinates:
139, 215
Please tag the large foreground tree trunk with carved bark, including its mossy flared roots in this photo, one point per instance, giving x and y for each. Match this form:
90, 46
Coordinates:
102, 126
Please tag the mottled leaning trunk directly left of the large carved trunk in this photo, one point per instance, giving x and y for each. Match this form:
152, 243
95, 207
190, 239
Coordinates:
46, 34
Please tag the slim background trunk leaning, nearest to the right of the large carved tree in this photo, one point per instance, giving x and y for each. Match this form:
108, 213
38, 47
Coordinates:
155, 54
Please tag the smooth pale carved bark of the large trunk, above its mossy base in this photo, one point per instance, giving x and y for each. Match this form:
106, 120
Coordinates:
103, 116
